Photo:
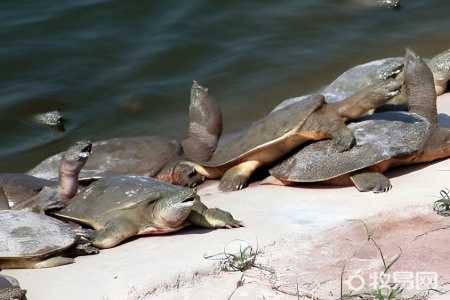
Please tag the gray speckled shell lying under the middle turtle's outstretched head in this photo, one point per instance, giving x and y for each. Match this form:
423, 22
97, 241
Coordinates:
378, 137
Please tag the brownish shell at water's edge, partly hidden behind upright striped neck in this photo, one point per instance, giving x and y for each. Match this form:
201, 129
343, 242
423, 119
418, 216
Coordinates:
142, 155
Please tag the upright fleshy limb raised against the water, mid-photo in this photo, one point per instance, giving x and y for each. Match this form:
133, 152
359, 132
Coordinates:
205, 125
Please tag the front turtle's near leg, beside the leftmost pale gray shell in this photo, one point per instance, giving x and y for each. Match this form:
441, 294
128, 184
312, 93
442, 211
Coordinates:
115, 232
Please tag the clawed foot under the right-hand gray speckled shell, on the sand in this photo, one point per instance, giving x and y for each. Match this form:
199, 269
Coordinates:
371, 181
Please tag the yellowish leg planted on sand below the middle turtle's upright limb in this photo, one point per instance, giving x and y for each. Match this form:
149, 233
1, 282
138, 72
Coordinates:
236, 178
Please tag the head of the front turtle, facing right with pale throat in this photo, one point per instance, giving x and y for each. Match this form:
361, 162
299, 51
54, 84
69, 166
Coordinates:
172, 210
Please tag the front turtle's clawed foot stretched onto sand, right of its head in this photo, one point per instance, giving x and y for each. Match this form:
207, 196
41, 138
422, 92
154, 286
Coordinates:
203, 216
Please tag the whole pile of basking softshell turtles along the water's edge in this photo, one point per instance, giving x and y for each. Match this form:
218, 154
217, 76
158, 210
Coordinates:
96, 195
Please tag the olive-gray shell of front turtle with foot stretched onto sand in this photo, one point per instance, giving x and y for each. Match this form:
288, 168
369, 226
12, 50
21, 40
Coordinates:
113, 194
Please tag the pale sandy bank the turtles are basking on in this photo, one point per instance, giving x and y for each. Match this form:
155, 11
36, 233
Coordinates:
305, 237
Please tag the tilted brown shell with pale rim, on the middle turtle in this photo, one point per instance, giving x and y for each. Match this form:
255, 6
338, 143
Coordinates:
273, 128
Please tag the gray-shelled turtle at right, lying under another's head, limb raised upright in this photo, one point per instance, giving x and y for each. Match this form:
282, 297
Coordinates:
383, 140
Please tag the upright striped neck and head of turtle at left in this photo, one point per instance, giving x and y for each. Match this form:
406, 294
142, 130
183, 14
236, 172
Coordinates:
70, 166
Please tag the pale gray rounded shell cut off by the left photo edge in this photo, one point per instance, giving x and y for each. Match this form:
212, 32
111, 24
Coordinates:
26, 234
